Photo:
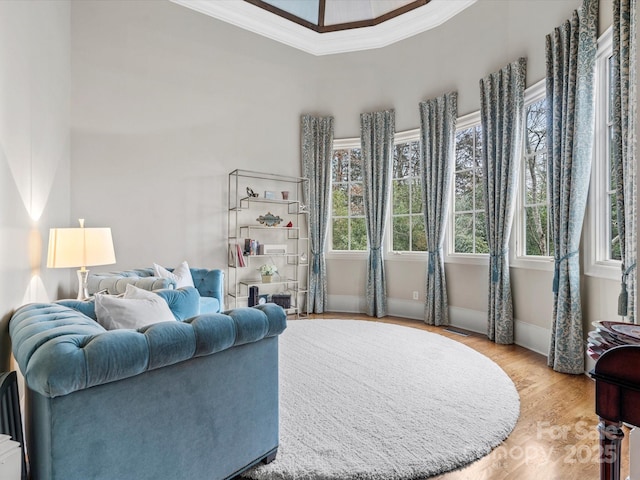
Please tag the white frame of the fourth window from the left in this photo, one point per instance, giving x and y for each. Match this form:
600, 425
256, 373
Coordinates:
517, 242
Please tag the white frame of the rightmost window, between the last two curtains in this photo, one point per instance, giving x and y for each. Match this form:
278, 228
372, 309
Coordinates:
597, 239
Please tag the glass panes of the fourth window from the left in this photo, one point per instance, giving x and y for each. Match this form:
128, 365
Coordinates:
535, 229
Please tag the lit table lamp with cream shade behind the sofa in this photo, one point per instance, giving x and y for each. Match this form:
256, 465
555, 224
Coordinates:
80, 247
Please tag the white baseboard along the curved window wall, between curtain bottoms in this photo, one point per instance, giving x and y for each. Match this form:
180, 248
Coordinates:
527, 335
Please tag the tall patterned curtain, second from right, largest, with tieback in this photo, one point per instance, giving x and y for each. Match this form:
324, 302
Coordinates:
570, 58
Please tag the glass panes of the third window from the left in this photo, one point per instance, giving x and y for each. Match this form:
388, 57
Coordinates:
468, 226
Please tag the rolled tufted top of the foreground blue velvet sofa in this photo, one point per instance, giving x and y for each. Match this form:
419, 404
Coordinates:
60, 350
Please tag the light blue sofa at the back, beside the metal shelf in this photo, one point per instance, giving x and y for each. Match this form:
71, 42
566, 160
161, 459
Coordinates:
209, 283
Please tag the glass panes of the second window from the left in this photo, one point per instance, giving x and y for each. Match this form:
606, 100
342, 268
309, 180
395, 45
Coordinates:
408, 233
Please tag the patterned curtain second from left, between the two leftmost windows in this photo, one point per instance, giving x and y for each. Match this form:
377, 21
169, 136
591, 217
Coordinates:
376, 133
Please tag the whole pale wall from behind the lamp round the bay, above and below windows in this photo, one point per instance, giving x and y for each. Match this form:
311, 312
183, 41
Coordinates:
166, 101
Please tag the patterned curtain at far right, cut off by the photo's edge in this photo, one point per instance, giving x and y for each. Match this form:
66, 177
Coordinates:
623, 146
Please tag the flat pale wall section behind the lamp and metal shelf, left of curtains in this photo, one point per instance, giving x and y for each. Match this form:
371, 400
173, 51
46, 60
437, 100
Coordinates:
165, 103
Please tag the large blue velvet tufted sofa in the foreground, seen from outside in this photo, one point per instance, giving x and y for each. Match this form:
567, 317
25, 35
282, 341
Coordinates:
192, 399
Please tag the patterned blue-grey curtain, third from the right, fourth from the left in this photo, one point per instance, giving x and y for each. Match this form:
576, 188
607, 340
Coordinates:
502, 118
